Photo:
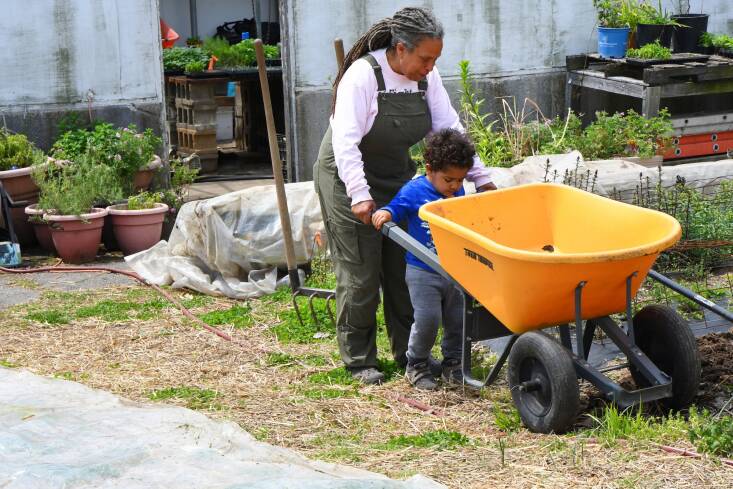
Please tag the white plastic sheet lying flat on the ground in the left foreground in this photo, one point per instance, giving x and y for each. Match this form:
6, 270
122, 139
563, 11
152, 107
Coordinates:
60, 434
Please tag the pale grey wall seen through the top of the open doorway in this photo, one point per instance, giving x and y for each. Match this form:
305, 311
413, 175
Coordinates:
211, 14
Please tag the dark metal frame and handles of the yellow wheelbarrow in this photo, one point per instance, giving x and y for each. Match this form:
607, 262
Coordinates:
479, 324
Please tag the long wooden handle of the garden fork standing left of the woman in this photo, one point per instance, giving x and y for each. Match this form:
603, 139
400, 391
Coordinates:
277, 166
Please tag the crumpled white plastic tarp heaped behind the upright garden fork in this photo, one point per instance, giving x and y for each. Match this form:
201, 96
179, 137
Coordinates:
231, 245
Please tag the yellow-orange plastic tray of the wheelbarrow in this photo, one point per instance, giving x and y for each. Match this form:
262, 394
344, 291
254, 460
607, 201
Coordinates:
522, 251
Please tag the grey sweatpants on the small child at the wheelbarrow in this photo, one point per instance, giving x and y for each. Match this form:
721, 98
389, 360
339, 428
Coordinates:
435, 300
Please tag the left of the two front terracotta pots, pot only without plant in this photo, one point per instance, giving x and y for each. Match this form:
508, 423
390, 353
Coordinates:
77, 240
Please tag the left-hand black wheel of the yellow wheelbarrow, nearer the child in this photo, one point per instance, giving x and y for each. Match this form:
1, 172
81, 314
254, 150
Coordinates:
543, 383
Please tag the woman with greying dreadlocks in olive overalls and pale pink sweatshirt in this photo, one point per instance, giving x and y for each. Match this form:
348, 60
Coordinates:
387, 97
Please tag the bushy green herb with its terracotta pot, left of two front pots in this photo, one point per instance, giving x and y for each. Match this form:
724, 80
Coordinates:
68, 193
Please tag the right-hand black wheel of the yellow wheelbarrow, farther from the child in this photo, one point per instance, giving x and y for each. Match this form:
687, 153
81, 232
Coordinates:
665, 337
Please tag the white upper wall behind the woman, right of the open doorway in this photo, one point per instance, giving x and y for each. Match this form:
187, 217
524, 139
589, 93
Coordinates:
499, 37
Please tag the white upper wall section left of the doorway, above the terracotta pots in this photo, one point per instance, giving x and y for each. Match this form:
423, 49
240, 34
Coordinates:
57, 51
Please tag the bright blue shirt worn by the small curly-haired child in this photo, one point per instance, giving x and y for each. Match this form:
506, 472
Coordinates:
405, 205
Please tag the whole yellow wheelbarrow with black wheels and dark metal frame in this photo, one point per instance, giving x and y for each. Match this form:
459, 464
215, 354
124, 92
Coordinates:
542, 255
